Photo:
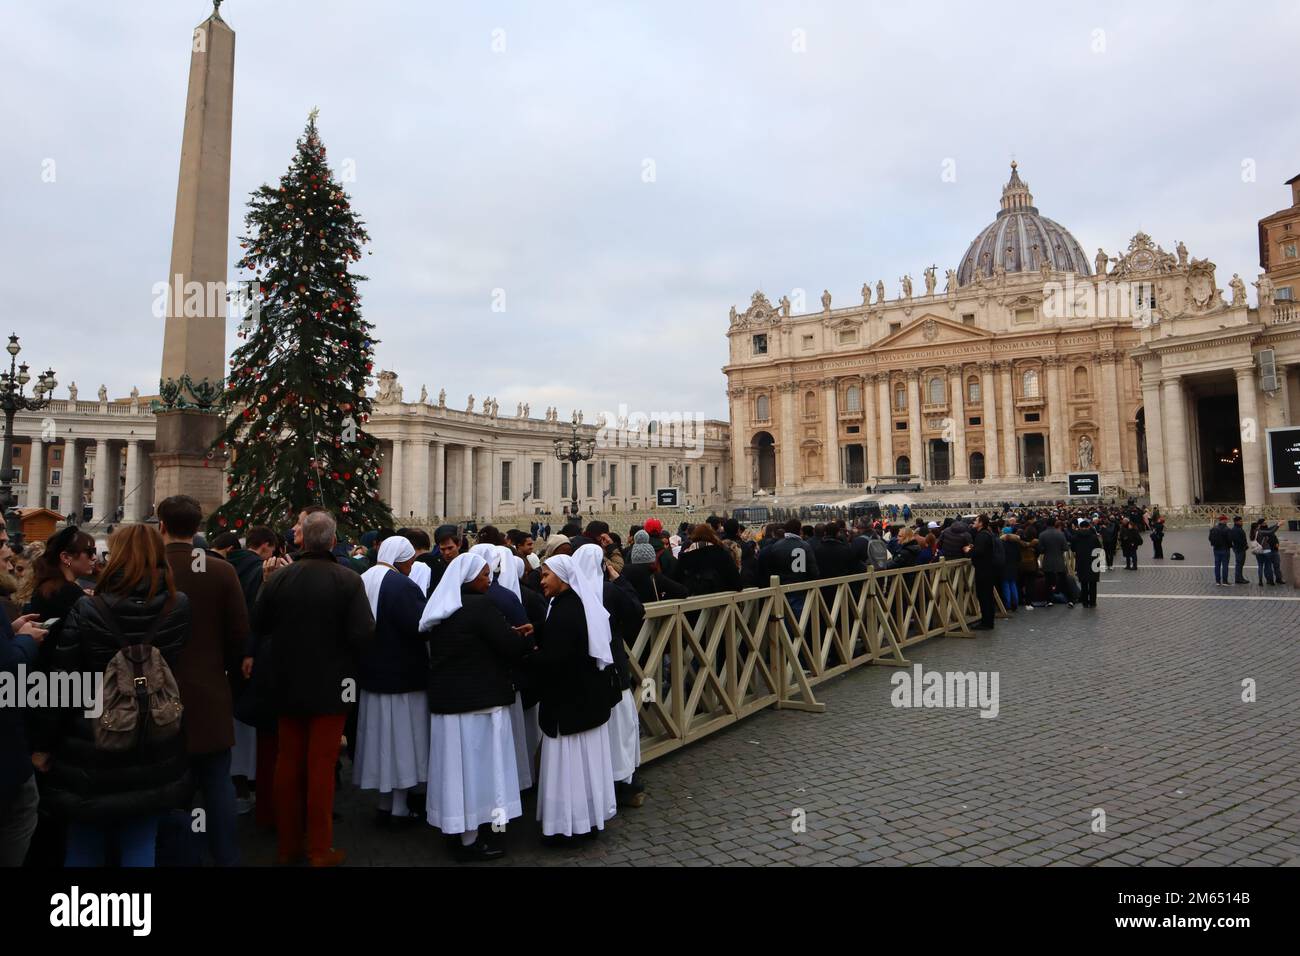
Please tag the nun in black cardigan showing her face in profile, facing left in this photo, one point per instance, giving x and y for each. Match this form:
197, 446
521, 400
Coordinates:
575, 793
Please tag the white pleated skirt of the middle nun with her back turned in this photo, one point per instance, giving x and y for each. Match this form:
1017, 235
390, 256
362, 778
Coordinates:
473, 775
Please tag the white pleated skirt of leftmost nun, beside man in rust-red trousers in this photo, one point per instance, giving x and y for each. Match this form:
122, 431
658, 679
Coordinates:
392, 741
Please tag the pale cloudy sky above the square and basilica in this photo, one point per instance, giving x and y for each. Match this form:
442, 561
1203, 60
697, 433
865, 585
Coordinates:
794, 146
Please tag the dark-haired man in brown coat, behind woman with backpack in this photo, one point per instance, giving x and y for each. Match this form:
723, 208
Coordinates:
218, 633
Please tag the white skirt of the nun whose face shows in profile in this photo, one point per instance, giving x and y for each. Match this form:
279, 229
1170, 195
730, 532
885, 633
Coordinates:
577, 789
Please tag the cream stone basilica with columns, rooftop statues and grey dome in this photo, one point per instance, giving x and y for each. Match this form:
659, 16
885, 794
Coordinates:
1035, 360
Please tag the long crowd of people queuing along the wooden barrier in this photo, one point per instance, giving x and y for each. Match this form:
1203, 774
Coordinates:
458, 677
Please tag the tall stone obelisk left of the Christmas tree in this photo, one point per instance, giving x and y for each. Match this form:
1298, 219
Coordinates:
194, 339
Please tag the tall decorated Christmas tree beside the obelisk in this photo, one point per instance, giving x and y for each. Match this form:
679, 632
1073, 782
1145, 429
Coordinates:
296, 399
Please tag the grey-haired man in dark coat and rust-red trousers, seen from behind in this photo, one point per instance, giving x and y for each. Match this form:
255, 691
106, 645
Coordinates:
318, 621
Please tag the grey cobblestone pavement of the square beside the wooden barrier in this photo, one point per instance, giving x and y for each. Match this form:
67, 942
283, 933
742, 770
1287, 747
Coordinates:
1133, 710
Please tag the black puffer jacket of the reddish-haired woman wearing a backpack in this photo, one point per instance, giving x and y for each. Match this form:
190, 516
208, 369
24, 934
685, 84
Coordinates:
93, 786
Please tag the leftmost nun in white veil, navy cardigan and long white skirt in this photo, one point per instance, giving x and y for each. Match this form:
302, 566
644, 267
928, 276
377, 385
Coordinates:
393, 729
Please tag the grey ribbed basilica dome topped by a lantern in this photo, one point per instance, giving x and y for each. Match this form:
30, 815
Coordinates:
1020, 239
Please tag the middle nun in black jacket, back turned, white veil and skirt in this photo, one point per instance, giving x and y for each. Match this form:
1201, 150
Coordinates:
474, 778
